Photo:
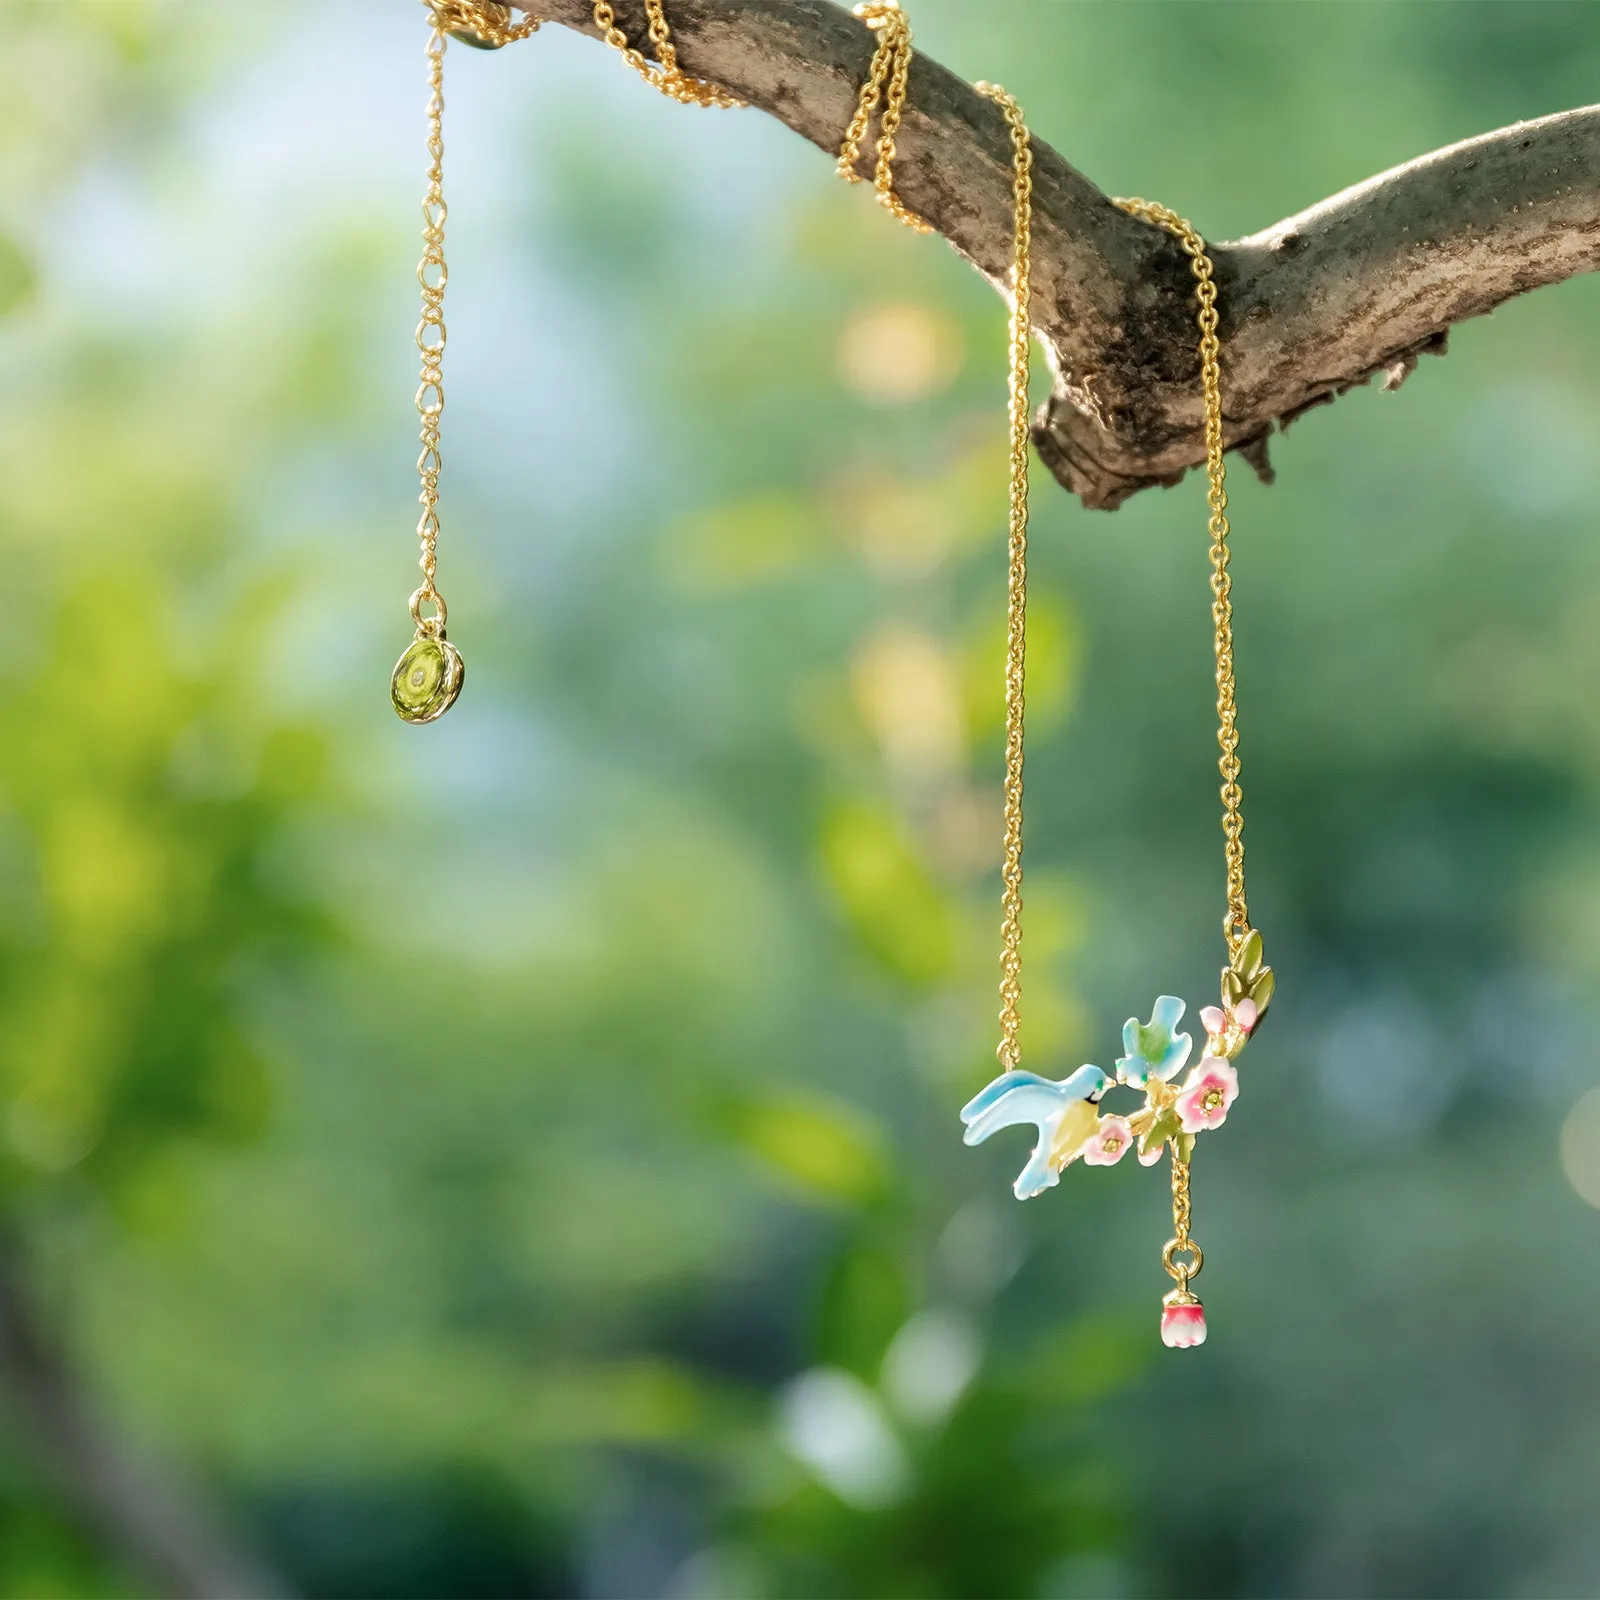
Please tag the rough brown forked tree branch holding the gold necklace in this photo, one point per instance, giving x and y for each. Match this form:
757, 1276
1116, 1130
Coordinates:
1356, 287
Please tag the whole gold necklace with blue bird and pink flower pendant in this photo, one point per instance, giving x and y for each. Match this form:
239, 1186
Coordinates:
1068, 1113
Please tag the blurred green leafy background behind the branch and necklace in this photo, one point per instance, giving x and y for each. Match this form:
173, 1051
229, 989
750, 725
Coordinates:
521, 1156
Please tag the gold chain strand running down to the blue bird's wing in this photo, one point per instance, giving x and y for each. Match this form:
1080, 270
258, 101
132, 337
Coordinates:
1010, 1050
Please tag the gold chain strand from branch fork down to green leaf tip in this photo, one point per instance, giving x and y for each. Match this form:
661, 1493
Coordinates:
1236, 924
